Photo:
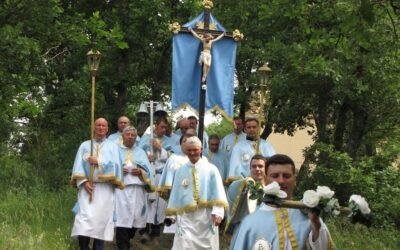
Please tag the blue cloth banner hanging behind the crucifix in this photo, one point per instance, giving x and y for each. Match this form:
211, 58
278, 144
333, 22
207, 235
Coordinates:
186, 71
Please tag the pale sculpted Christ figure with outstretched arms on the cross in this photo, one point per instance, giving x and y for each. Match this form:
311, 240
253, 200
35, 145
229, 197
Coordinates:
205, 56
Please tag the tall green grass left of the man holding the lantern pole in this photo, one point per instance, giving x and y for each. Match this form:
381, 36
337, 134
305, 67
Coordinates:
37, 219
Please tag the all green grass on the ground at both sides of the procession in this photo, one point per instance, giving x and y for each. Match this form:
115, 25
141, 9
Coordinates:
43, 220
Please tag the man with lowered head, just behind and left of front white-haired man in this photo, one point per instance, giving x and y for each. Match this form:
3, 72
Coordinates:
160, 144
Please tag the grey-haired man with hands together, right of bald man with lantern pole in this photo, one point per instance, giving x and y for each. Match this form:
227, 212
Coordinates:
131, 203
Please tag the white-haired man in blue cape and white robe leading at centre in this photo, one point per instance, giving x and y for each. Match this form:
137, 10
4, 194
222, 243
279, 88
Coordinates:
198, 200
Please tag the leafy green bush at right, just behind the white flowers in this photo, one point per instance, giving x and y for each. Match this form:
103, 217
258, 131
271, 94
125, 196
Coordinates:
346, 176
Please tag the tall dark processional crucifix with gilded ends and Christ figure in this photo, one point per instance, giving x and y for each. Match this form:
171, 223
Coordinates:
206, 32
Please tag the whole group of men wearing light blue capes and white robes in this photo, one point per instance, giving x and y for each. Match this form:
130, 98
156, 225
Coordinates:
127, 184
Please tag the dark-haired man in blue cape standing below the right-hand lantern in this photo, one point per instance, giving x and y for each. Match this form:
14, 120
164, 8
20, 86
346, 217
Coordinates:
245, 149
